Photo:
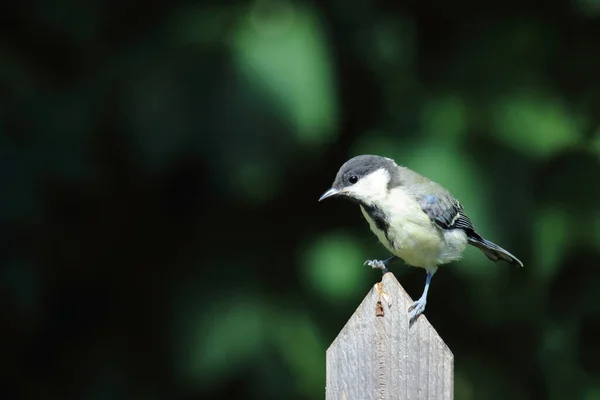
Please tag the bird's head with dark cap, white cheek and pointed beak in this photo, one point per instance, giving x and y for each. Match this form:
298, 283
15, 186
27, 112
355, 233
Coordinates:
364, 179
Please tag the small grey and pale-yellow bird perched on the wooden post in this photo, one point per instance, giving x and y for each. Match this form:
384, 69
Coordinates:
415, 219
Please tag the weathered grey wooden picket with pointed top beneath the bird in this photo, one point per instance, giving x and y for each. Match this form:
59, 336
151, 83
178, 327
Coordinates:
377, 356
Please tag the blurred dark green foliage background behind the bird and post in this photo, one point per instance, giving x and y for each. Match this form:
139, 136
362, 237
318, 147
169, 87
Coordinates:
161, 164
